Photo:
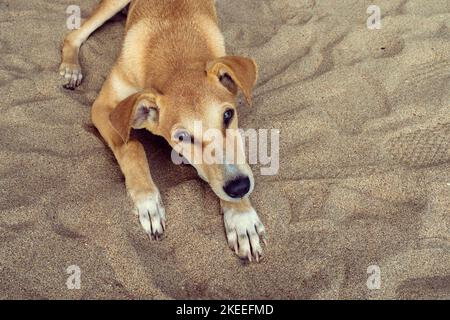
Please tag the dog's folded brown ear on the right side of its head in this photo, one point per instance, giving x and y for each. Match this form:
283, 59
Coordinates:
235, 73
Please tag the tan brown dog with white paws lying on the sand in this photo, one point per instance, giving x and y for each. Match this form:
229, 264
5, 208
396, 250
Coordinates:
172, 72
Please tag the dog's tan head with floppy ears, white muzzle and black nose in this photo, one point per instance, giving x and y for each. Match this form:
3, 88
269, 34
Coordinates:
199, 96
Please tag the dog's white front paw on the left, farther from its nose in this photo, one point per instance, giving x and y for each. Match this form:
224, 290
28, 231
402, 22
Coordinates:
152, 215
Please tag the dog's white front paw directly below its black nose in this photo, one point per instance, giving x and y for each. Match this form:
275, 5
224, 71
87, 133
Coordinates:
244, 233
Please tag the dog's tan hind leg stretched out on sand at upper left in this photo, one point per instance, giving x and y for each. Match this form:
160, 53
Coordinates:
70, 67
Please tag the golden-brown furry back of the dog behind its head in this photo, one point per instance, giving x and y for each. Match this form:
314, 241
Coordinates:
166, 35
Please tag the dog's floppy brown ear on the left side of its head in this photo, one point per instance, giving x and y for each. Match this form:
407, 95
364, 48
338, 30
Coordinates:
138, 111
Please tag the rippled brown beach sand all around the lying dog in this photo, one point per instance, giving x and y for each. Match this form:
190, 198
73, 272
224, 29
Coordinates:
364, 177
